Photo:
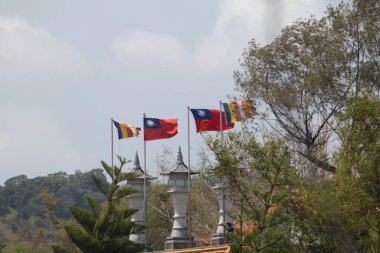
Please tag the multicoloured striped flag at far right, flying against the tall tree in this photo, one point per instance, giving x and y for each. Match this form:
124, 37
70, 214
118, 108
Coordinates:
239, 110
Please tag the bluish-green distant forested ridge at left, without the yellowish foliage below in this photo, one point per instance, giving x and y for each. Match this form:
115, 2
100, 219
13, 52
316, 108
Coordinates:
23, 194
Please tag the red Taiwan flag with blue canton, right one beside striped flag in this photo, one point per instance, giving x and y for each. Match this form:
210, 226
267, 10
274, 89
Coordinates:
209, 120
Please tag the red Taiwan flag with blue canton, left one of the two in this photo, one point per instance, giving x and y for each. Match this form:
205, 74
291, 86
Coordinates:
155, 129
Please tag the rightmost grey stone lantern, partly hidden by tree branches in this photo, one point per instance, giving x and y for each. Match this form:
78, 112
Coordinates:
225, 219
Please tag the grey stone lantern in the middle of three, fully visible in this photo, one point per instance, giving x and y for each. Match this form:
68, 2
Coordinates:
178, 182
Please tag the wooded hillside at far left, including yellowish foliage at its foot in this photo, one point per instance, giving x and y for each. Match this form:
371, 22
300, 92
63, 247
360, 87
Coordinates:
23, 210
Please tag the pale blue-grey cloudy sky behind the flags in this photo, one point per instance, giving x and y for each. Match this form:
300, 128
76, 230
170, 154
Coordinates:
67, 67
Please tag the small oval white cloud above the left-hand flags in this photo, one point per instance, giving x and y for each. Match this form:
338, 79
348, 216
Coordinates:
149, 50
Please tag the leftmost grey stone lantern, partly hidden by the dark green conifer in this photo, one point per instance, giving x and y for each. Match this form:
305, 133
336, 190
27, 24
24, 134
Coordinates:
136, 200
